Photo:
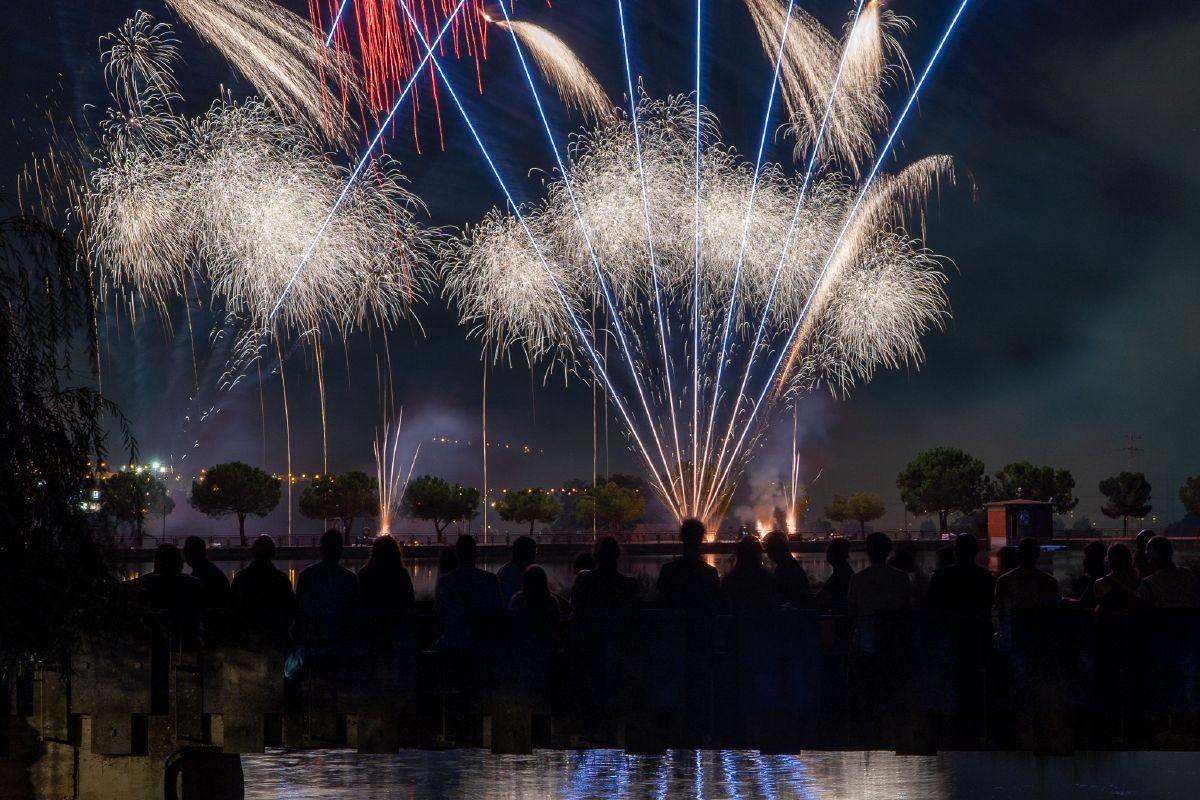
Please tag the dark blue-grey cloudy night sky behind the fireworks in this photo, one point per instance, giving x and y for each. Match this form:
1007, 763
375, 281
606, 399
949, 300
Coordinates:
1073, 270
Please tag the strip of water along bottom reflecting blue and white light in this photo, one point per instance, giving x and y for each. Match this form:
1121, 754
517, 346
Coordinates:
742, 775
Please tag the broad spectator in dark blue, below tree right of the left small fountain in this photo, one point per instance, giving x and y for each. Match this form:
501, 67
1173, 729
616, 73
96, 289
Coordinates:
467, 600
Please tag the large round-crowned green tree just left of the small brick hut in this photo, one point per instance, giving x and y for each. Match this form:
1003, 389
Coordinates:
944, 480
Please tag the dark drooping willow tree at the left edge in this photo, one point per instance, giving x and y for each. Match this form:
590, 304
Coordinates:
56, 580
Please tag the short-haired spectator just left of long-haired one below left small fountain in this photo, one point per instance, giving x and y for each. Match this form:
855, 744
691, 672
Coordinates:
327, 593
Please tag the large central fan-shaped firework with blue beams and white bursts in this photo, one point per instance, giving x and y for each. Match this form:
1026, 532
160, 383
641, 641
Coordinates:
721, 269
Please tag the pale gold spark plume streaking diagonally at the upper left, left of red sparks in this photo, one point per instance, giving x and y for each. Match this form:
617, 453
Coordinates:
273, 49
